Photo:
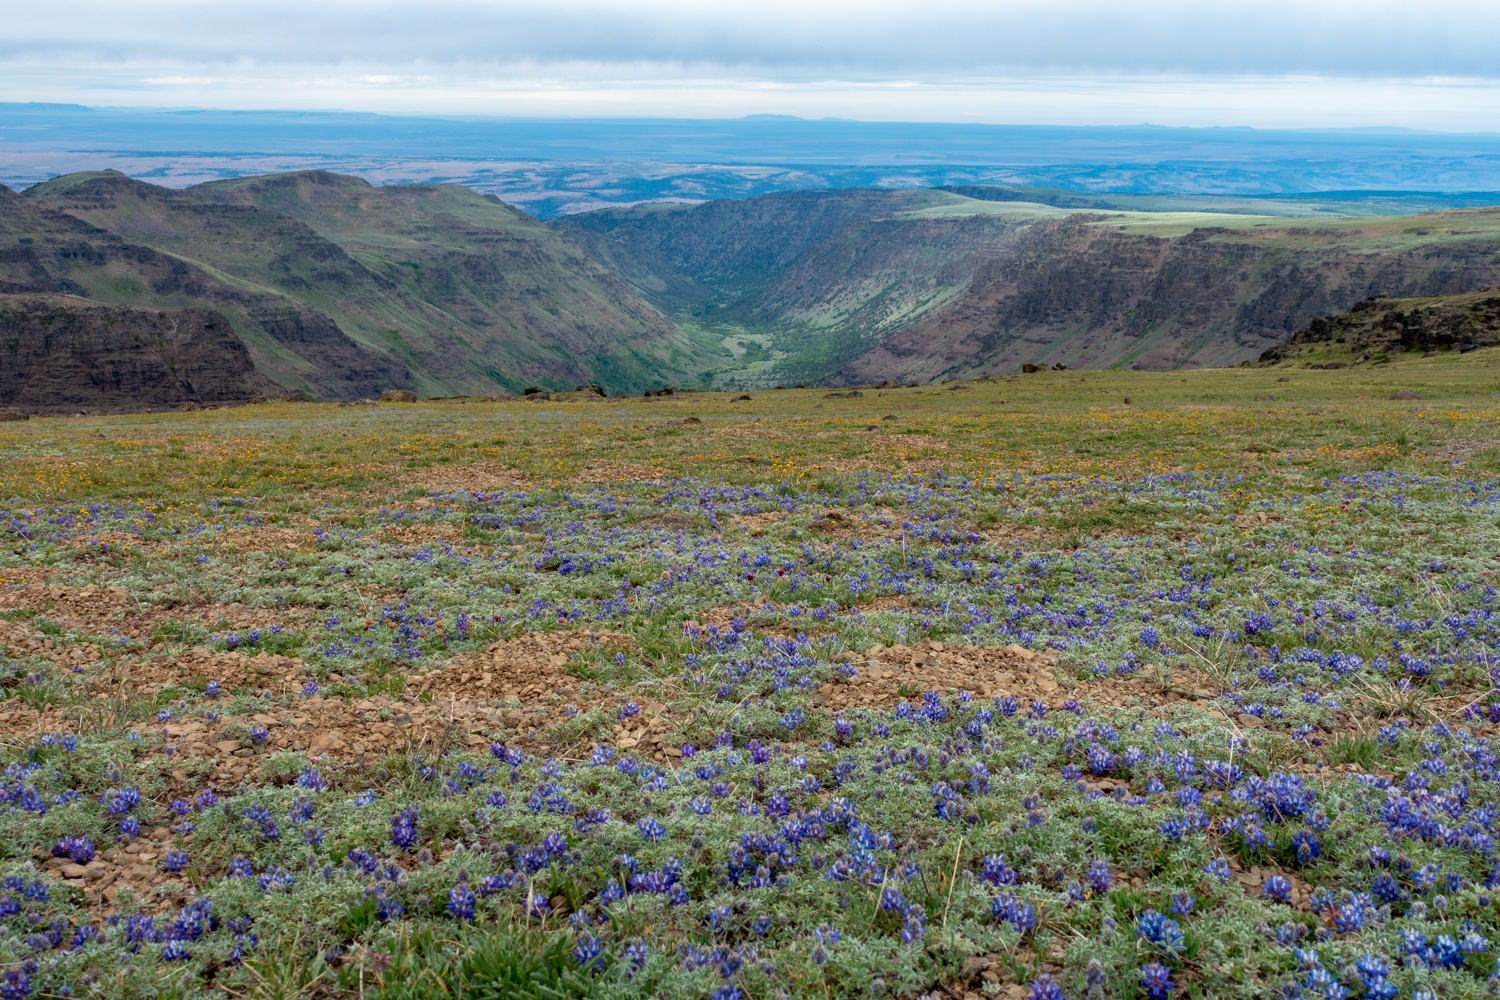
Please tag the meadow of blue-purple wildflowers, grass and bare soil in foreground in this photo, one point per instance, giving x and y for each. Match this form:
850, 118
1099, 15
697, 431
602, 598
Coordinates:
1000, 689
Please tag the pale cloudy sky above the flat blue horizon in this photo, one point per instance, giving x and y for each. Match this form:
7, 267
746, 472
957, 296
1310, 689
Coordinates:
1274, 64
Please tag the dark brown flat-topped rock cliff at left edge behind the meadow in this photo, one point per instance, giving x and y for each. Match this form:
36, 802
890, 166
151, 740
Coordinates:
61, 356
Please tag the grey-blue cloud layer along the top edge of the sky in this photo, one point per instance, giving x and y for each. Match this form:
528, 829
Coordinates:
938, 40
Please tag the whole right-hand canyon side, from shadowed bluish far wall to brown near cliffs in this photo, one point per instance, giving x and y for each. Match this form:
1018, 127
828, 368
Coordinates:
860, 287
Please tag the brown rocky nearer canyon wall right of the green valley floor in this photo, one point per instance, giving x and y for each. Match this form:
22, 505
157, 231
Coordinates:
1093, 295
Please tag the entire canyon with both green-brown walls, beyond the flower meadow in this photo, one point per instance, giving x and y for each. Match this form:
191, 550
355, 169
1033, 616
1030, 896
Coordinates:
328, 287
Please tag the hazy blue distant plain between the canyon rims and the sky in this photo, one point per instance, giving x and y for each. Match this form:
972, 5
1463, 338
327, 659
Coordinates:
557, 167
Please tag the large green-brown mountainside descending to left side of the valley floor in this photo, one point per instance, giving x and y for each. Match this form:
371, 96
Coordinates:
521, 302
